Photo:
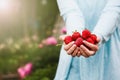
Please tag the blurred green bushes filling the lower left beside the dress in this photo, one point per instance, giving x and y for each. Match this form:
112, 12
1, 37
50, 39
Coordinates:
44, 59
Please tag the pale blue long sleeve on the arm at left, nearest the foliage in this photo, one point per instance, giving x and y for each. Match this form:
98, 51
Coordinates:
72, 15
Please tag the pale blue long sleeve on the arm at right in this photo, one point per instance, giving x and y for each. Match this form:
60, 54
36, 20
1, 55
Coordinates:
108, 21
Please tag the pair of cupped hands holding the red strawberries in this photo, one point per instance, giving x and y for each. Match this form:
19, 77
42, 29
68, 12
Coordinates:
85, 50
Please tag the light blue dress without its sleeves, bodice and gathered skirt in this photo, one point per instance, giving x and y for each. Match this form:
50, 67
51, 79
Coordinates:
105, 64
